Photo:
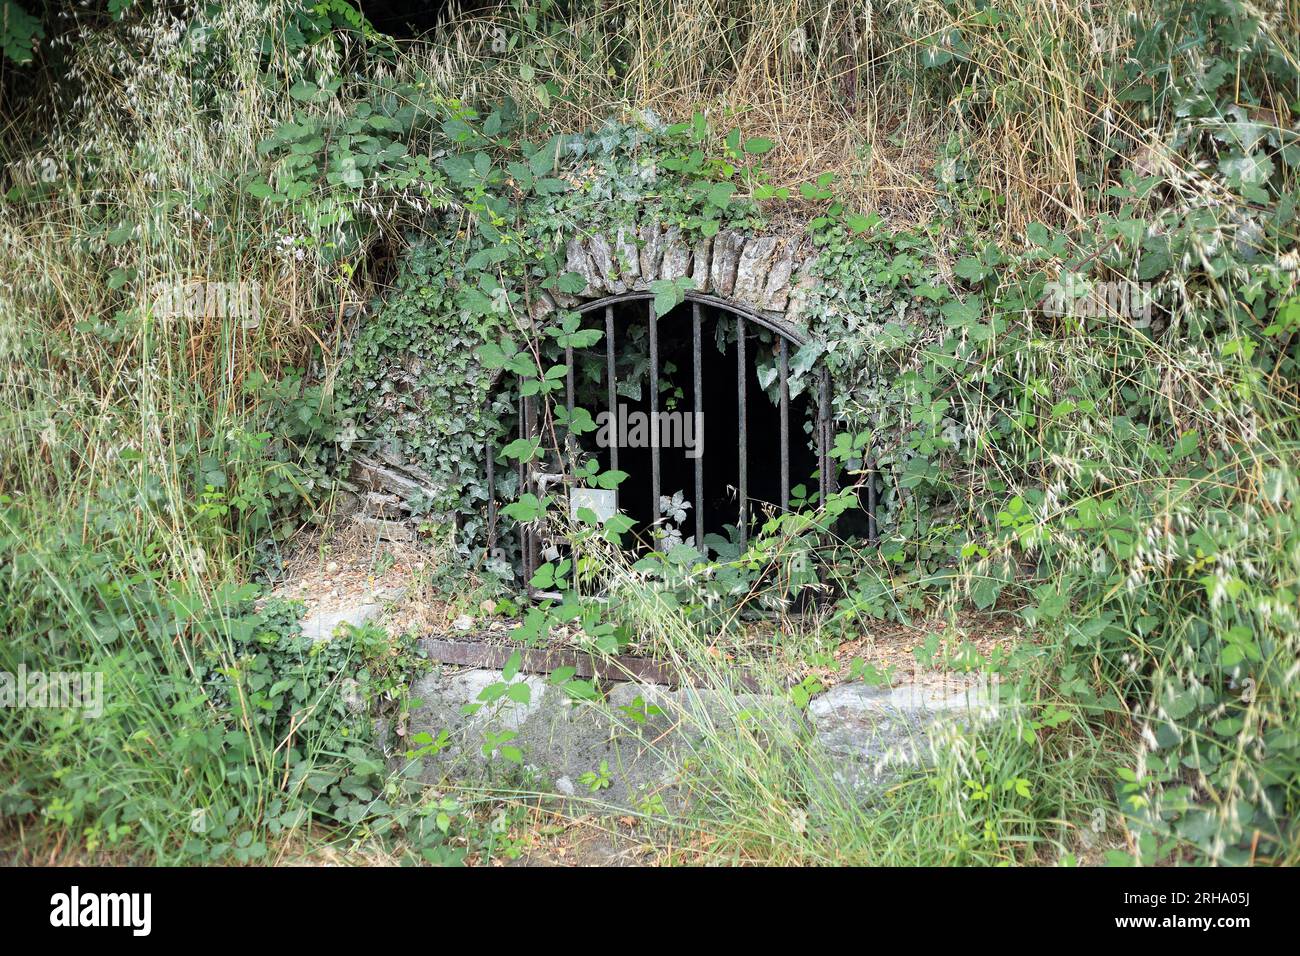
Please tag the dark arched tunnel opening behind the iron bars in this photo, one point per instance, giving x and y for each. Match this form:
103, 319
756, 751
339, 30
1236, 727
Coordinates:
710, 410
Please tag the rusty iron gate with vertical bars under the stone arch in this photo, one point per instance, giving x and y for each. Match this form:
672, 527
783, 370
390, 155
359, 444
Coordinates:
527, 412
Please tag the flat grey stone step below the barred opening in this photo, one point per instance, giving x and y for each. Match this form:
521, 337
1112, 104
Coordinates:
648, 736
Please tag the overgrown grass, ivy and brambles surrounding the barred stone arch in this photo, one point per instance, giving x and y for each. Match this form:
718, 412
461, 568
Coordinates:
1121, 479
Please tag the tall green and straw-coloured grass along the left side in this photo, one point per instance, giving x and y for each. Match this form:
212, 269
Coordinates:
114, 421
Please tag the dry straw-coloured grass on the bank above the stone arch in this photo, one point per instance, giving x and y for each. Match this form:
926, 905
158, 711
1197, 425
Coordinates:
839, 85
